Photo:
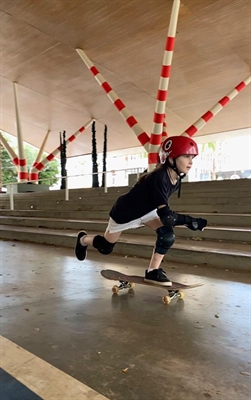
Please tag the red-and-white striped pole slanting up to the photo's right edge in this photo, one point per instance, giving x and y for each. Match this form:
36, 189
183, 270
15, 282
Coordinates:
216, 108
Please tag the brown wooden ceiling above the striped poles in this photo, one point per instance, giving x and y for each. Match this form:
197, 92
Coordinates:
125, 40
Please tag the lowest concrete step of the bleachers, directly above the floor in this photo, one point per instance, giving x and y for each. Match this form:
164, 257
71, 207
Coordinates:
236, 257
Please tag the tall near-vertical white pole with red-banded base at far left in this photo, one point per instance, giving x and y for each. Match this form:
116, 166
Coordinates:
22, 170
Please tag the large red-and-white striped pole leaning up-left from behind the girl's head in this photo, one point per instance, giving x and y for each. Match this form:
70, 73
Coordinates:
123, 110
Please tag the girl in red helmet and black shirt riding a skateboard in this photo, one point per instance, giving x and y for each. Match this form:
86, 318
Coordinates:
146, 204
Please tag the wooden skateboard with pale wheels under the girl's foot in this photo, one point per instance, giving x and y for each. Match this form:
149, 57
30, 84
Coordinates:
129, 281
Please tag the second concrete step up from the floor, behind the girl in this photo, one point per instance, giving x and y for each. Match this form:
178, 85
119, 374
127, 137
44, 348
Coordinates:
226, 233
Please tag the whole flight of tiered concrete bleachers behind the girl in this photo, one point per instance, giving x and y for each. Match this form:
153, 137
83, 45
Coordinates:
48, 218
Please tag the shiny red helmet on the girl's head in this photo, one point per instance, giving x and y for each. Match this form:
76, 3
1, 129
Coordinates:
176, 146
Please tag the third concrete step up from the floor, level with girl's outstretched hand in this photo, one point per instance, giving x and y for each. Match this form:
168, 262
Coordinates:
216, 219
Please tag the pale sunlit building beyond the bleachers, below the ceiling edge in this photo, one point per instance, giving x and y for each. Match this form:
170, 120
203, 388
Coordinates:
221, 156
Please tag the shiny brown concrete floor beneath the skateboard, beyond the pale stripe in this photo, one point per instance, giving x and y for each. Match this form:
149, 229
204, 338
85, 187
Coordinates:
128, 346
